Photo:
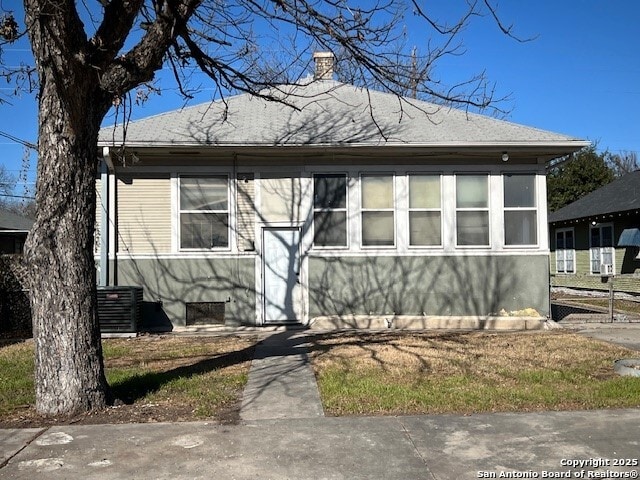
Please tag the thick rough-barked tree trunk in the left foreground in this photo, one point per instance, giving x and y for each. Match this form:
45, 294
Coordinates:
69, 370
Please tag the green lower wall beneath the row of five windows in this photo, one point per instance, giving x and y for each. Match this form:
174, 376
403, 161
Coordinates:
438, 285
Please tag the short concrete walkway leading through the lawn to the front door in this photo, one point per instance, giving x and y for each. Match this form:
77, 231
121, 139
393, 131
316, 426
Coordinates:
281, 382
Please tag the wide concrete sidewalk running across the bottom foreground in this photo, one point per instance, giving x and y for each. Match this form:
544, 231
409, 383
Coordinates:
416, 447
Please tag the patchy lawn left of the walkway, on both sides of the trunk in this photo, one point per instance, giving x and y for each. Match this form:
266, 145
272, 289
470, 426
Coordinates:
160, 378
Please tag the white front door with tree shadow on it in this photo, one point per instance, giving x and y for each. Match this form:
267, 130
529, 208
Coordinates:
281, 268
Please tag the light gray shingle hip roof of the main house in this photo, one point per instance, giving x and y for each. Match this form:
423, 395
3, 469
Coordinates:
329, 113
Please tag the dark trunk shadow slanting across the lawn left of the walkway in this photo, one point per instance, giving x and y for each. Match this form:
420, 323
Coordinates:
134, 388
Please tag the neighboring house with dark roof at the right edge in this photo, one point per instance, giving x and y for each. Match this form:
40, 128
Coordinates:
595, 240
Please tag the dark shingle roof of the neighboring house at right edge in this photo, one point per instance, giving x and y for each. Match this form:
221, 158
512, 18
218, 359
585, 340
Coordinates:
620, 195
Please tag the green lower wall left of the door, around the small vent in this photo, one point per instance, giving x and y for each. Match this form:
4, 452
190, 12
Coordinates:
171, 283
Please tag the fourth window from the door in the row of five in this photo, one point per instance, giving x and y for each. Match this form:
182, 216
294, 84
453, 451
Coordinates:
472, 210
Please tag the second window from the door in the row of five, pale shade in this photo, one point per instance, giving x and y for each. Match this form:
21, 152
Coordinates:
377, 210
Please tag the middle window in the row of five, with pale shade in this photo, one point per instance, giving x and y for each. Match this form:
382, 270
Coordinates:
425, 210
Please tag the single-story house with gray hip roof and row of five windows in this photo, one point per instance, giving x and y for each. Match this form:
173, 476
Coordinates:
354, 208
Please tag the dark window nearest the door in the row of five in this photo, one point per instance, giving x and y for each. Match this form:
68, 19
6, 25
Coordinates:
329, 210
